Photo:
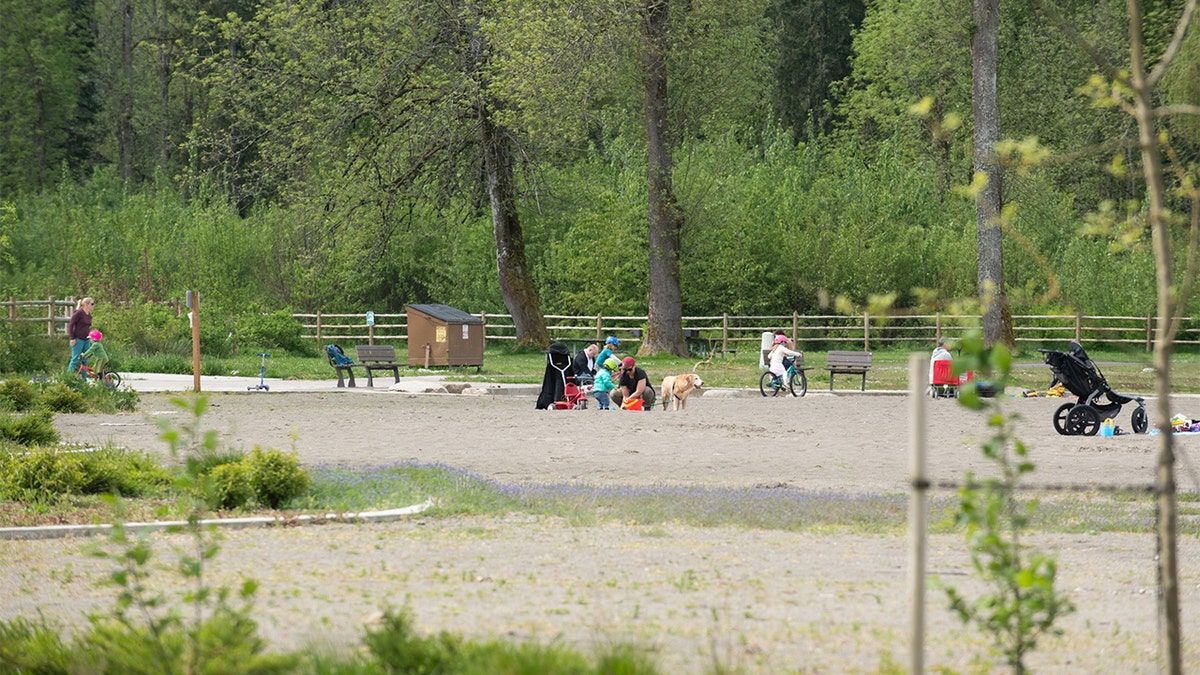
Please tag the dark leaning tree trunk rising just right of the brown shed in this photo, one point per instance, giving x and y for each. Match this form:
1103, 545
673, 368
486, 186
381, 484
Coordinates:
517, 285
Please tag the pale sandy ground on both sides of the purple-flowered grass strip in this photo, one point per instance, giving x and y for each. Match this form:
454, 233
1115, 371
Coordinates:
767, 602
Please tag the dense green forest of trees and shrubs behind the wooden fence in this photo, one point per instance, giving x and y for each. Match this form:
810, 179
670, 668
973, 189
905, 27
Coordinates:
351, 156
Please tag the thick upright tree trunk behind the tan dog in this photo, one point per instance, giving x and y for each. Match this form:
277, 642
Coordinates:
664, 333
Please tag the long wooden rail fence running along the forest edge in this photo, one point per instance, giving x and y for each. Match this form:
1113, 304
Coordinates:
725, 333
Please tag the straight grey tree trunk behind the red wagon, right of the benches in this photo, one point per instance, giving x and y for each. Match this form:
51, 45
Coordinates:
998, 320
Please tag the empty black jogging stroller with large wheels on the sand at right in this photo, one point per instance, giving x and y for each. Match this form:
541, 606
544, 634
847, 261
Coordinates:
1097, 401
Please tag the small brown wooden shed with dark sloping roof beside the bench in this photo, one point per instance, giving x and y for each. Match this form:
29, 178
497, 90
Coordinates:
443, 336
